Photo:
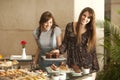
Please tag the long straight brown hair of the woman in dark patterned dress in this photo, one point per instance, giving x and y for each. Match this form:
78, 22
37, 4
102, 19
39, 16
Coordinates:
90, 27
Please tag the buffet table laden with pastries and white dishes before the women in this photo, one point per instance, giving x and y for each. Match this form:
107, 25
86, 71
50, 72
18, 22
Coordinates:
68, 74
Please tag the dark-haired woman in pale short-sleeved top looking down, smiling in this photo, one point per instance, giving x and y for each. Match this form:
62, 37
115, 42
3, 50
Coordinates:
48, 38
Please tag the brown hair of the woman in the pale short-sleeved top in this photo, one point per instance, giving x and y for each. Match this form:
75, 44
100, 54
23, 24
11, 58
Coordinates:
44, 18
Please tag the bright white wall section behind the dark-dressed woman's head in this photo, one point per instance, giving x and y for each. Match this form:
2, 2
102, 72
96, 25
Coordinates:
97, 5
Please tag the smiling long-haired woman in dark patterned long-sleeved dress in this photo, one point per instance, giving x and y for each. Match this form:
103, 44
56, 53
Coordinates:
80, 40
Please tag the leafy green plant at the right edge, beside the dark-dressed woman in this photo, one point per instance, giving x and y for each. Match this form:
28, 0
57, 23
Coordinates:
112, 53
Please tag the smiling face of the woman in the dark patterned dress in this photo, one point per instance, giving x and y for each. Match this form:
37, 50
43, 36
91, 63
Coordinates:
85, 18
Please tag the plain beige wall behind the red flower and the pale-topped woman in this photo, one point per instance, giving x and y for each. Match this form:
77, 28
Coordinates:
18, 19
